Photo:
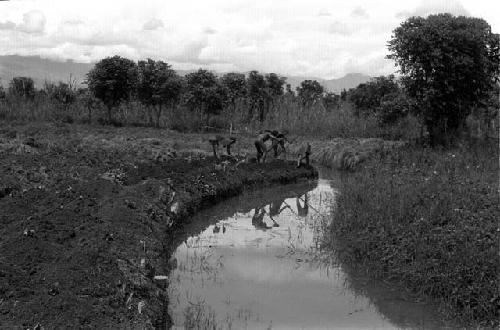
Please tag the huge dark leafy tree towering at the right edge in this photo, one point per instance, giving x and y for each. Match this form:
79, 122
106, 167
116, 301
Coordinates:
449, 64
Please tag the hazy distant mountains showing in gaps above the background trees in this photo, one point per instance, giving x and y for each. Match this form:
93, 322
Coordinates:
44, 69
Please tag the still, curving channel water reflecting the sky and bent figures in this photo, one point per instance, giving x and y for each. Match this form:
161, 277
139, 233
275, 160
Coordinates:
251, 262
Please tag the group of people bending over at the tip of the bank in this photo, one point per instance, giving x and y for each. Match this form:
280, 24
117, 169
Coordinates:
277, 141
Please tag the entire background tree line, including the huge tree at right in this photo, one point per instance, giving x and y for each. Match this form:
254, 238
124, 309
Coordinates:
448, 69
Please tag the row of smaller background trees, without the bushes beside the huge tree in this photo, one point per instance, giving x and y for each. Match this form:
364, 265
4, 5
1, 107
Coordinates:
115, 80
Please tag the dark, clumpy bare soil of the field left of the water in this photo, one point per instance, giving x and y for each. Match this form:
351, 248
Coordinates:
85, 213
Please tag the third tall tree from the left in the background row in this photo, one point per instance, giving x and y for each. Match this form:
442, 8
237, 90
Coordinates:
204, 93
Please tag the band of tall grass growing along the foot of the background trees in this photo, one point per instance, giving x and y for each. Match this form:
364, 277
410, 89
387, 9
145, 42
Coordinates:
283, 113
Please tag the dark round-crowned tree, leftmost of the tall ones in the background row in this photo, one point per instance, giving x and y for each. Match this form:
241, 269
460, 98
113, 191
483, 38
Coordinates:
113, 80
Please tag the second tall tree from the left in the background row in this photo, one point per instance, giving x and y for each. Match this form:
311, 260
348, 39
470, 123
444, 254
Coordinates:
159, 86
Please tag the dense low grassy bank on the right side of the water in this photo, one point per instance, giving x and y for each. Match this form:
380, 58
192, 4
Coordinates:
428, 220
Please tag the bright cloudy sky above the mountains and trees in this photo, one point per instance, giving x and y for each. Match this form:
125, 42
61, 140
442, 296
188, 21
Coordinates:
313, 38
